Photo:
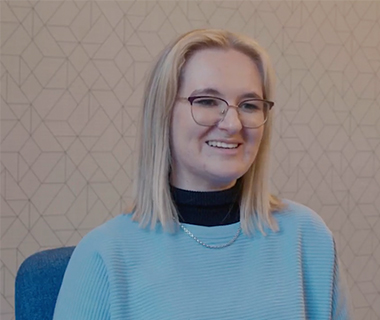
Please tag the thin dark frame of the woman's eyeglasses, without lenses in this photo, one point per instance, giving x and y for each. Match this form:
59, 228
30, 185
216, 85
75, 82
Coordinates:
191, 99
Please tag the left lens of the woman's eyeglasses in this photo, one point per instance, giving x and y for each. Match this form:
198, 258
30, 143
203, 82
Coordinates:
208, 111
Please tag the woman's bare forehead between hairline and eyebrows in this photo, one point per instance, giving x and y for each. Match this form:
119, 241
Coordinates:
228, 71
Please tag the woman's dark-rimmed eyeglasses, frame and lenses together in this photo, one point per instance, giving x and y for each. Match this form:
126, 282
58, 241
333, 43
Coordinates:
208, 111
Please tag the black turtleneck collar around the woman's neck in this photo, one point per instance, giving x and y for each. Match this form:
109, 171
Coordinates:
213, 208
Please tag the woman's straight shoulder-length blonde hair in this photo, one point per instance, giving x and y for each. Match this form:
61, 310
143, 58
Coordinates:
153, 201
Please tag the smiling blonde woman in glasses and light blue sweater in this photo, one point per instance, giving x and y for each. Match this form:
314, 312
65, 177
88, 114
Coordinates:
206, 240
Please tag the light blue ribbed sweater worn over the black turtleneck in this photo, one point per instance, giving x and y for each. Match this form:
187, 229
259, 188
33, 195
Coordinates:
120, 271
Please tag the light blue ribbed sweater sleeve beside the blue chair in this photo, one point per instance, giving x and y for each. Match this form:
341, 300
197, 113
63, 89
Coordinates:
84, 293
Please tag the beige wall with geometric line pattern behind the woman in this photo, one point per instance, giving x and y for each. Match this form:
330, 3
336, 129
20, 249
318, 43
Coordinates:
72, 76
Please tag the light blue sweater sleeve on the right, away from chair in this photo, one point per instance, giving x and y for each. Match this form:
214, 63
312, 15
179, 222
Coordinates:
326, 295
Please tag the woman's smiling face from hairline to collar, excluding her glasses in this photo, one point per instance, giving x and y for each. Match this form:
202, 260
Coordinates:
213, 158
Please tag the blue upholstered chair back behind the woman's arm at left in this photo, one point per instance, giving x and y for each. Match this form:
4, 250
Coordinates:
38, 282
